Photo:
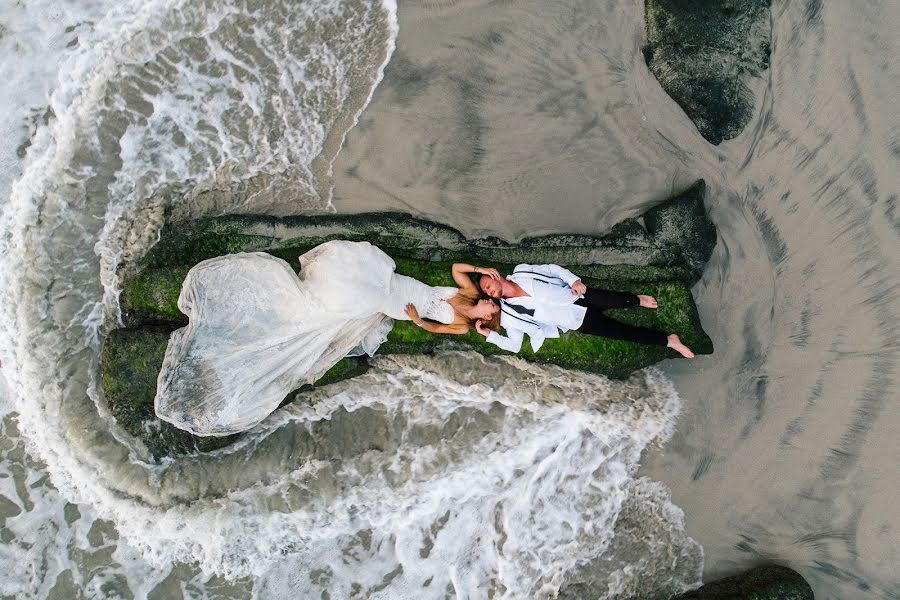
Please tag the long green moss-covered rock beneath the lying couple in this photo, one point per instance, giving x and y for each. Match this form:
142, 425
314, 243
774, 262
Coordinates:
662, 257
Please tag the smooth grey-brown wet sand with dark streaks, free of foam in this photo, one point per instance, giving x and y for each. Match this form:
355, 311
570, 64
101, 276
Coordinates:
523, 119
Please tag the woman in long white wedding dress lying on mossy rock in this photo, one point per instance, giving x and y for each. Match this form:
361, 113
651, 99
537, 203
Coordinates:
257, 331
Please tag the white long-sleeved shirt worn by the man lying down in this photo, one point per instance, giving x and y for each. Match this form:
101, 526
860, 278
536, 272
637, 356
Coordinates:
549, 289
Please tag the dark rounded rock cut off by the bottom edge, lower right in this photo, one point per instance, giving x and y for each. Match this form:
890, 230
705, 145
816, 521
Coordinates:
762, 583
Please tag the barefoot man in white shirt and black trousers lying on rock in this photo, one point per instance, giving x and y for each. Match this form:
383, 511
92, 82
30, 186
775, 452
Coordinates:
542, 300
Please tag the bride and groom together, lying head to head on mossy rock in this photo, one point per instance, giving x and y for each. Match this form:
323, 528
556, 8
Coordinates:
257, 331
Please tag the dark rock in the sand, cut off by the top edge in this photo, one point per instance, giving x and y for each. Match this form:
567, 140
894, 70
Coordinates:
701, 54
